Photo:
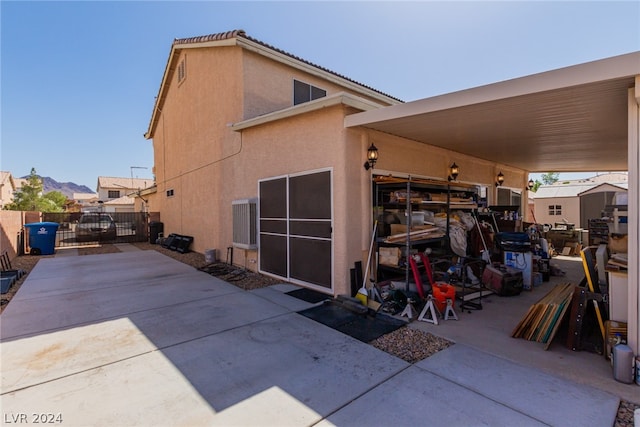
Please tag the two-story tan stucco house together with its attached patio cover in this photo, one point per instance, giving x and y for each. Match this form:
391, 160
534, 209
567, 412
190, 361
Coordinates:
258, 150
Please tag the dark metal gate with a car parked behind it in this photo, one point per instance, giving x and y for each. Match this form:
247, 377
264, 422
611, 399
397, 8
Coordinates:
78, 229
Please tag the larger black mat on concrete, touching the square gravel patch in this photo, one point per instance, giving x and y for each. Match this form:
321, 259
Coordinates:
365, 328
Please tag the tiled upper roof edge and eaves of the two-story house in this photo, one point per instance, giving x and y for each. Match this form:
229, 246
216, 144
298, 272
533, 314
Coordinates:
240, 38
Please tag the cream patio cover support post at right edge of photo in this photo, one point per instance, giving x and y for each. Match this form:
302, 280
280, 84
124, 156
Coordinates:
634, 216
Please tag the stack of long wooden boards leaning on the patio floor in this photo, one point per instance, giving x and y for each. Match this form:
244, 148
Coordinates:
544, 317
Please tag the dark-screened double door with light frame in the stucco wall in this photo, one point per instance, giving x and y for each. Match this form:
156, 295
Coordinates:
296, 228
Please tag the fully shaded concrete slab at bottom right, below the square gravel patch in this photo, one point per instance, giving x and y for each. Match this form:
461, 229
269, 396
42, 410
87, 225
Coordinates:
550, 399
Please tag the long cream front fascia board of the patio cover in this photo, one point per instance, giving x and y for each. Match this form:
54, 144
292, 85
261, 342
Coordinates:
623, 66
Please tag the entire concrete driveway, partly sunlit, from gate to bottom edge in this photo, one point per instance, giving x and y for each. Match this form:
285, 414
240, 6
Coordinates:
145, 344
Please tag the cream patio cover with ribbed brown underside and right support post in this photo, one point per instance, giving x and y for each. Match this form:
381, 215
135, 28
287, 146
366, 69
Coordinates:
581, 118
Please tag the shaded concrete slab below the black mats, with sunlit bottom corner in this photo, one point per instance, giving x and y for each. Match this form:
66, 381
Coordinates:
315, 366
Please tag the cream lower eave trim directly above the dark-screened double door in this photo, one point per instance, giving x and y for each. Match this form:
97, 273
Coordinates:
318, 104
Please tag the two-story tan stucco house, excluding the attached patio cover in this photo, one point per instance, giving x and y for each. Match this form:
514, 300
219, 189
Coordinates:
236, 119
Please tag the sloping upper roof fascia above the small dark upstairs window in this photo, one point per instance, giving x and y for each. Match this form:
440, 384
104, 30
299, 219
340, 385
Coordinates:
292, 62
